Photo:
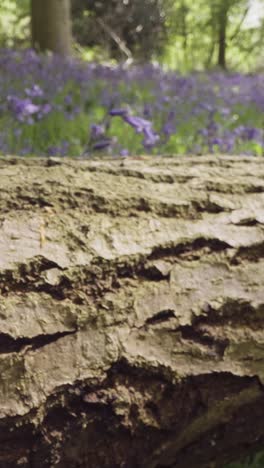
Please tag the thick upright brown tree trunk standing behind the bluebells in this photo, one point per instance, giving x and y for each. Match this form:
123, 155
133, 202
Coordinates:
51, 26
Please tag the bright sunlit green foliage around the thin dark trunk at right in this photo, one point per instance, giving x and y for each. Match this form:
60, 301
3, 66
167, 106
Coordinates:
193, 36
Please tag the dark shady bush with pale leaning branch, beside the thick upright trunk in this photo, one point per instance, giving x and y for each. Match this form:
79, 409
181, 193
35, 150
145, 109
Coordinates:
123, 29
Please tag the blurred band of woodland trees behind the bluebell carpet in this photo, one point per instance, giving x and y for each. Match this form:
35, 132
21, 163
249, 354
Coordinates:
181, 34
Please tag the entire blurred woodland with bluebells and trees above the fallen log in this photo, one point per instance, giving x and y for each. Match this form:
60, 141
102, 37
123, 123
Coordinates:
159, 76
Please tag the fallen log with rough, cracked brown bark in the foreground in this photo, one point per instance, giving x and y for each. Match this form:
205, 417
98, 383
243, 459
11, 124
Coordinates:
131, 313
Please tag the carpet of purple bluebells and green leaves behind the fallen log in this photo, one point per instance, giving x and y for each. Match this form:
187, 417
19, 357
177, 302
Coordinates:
50, 106
